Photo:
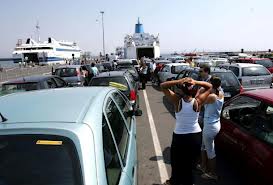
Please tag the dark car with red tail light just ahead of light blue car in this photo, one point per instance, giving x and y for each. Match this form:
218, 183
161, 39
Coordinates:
122, 80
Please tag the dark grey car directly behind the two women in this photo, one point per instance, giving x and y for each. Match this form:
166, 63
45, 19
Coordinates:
230, 84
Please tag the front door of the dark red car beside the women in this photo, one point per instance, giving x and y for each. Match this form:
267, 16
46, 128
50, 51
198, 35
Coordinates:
236, 123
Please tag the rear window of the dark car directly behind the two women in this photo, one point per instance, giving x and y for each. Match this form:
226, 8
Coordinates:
228, 79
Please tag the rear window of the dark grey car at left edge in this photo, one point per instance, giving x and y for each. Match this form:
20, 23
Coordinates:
14, 87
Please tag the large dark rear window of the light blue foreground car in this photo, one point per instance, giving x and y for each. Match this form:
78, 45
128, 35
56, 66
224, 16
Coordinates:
35, 159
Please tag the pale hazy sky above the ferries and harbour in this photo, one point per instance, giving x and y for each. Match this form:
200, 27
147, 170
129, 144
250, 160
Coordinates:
183, 25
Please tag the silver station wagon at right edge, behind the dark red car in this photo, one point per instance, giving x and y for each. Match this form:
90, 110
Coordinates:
251, 76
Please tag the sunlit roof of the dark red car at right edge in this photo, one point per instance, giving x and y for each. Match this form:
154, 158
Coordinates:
262, 94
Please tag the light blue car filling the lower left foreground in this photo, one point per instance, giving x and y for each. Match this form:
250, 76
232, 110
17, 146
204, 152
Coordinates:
72, 136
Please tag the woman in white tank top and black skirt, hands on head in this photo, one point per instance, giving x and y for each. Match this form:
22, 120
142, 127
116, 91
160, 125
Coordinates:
186, 141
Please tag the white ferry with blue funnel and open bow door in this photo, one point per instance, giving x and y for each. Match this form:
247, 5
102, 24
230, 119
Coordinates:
141, 44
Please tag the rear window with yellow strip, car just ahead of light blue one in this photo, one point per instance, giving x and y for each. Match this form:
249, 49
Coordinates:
109, 81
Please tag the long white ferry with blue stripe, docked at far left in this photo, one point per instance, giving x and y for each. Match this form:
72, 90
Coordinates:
46, 53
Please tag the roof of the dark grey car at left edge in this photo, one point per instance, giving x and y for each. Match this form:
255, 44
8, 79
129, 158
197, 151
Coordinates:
34, 78
